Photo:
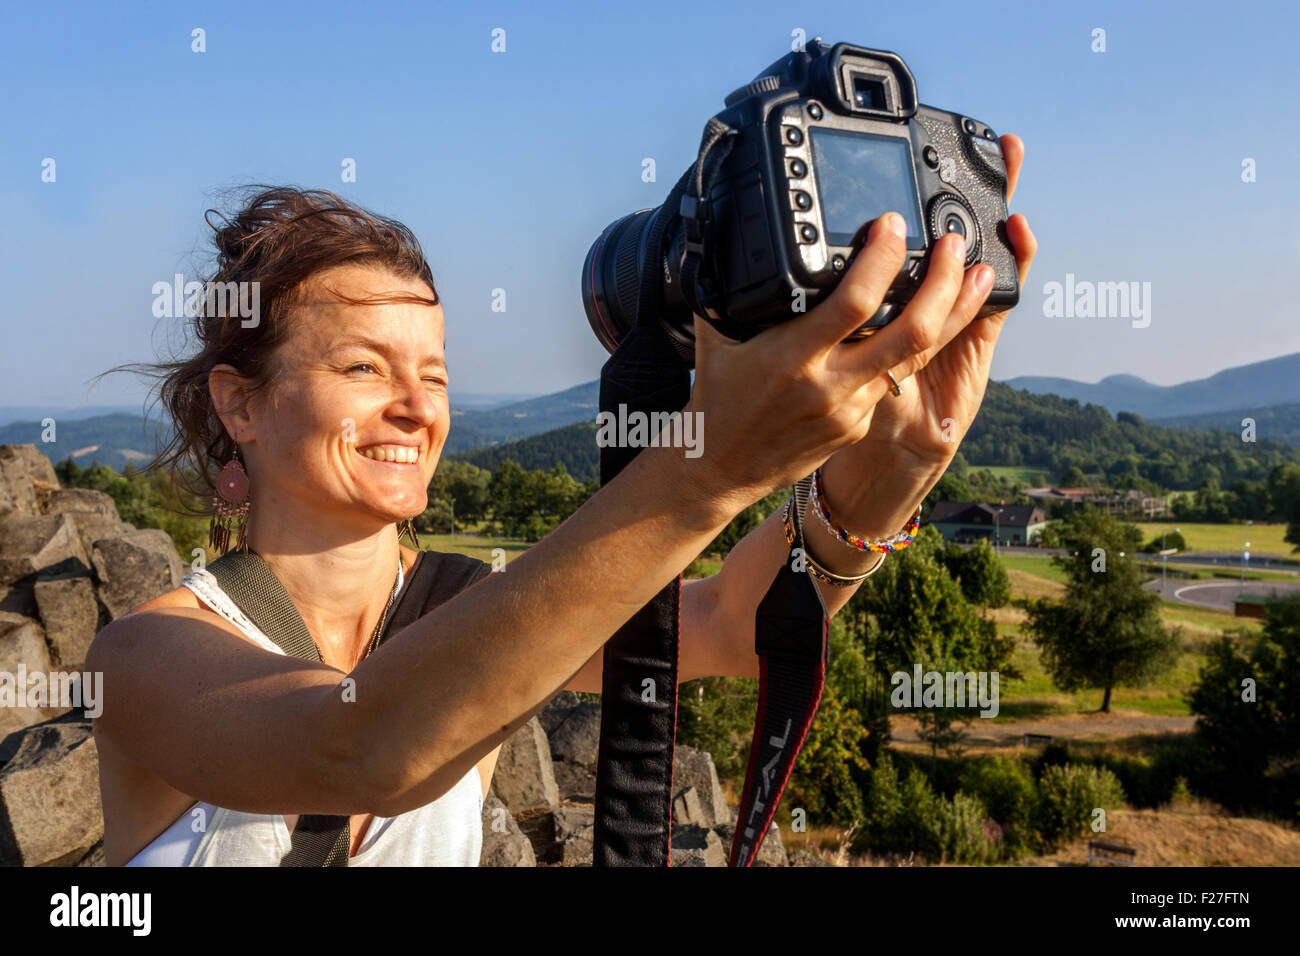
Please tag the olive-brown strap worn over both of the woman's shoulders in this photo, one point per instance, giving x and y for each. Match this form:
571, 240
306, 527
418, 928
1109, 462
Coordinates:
322, 840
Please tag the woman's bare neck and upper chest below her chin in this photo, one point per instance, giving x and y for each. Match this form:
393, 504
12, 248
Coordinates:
340, 578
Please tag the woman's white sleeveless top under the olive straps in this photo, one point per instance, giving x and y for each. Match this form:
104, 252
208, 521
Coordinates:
447, 833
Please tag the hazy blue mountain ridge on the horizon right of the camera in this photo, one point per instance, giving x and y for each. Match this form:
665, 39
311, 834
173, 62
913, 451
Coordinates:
1255, 387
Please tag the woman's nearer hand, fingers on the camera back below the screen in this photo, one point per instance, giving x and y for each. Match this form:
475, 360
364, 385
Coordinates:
779, 405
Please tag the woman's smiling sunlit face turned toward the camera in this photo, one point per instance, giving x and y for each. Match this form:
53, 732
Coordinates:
356, 414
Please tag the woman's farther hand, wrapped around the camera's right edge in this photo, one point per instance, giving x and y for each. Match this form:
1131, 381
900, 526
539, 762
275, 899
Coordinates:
877, 485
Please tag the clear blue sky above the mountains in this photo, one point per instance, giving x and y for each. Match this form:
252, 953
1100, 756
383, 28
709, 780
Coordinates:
508, 166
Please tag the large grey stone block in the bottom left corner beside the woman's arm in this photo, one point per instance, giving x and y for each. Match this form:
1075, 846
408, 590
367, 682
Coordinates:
50, 808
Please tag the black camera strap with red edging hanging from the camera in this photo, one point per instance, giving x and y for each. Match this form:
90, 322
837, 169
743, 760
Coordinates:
639, 713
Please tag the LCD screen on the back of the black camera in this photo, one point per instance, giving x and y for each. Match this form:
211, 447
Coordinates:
861, 176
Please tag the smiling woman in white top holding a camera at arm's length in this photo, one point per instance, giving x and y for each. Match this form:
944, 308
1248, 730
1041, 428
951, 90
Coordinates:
213, 742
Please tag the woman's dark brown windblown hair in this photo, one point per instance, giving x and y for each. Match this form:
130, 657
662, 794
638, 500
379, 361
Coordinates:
279, 239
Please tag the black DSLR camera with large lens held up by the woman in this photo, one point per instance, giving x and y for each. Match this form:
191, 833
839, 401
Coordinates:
770, 218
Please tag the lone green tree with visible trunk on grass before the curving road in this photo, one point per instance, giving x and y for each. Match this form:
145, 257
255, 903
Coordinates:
1107, 633
